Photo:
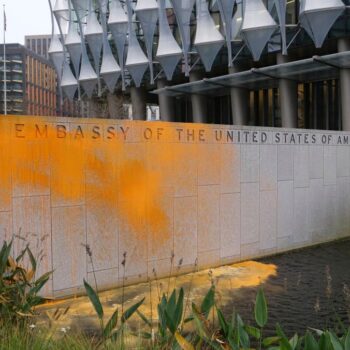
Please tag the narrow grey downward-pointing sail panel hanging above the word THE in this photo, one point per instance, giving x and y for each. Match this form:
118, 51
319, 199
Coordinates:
183, 11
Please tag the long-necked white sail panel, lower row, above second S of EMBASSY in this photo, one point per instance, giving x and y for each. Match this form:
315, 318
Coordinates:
110, 70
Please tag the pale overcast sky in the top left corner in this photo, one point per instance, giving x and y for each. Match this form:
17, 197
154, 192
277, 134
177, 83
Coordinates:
25, 17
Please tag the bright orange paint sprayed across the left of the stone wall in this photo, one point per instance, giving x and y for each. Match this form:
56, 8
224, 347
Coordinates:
76, 166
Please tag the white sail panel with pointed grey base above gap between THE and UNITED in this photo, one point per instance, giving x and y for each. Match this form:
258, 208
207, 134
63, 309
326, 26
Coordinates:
208, 40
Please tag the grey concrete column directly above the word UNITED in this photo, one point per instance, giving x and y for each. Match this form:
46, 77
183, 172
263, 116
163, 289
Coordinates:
239, 103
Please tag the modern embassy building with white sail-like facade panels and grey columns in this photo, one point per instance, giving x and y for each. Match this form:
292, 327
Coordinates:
274, 63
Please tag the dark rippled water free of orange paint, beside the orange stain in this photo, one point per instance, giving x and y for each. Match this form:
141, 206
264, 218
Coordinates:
311, 289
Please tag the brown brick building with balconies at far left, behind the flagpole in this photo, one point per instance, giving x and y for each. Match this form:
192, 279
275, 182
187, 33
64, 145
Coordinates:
30, 82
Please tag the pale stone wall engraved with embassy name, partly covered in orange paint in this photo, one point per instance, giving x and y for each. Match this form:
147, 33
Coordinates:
208, 194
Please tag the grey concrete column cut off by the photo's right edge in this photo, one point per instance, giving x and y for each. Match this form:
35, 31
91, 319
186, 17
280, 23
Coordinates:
344, 81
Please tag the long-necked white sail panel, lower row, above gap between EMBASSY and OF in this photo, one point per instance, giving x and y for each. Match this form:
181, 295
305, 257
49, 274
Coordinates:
136, 60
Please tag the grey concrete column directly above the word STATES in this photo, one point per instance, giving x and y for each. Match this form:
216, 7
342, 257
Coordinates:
288, 99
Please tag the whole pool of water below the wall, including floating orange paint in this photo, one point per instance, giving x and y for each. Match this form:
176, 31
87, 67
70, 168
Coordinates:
306, 288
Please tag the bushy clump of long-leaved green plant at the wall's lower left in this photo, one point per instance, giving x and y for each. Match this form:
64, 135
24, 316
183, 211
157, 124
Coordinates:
18, 287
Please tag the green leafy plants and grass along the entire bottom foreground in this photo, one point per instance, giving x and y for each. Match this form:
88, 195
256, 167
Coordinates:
179, 323
